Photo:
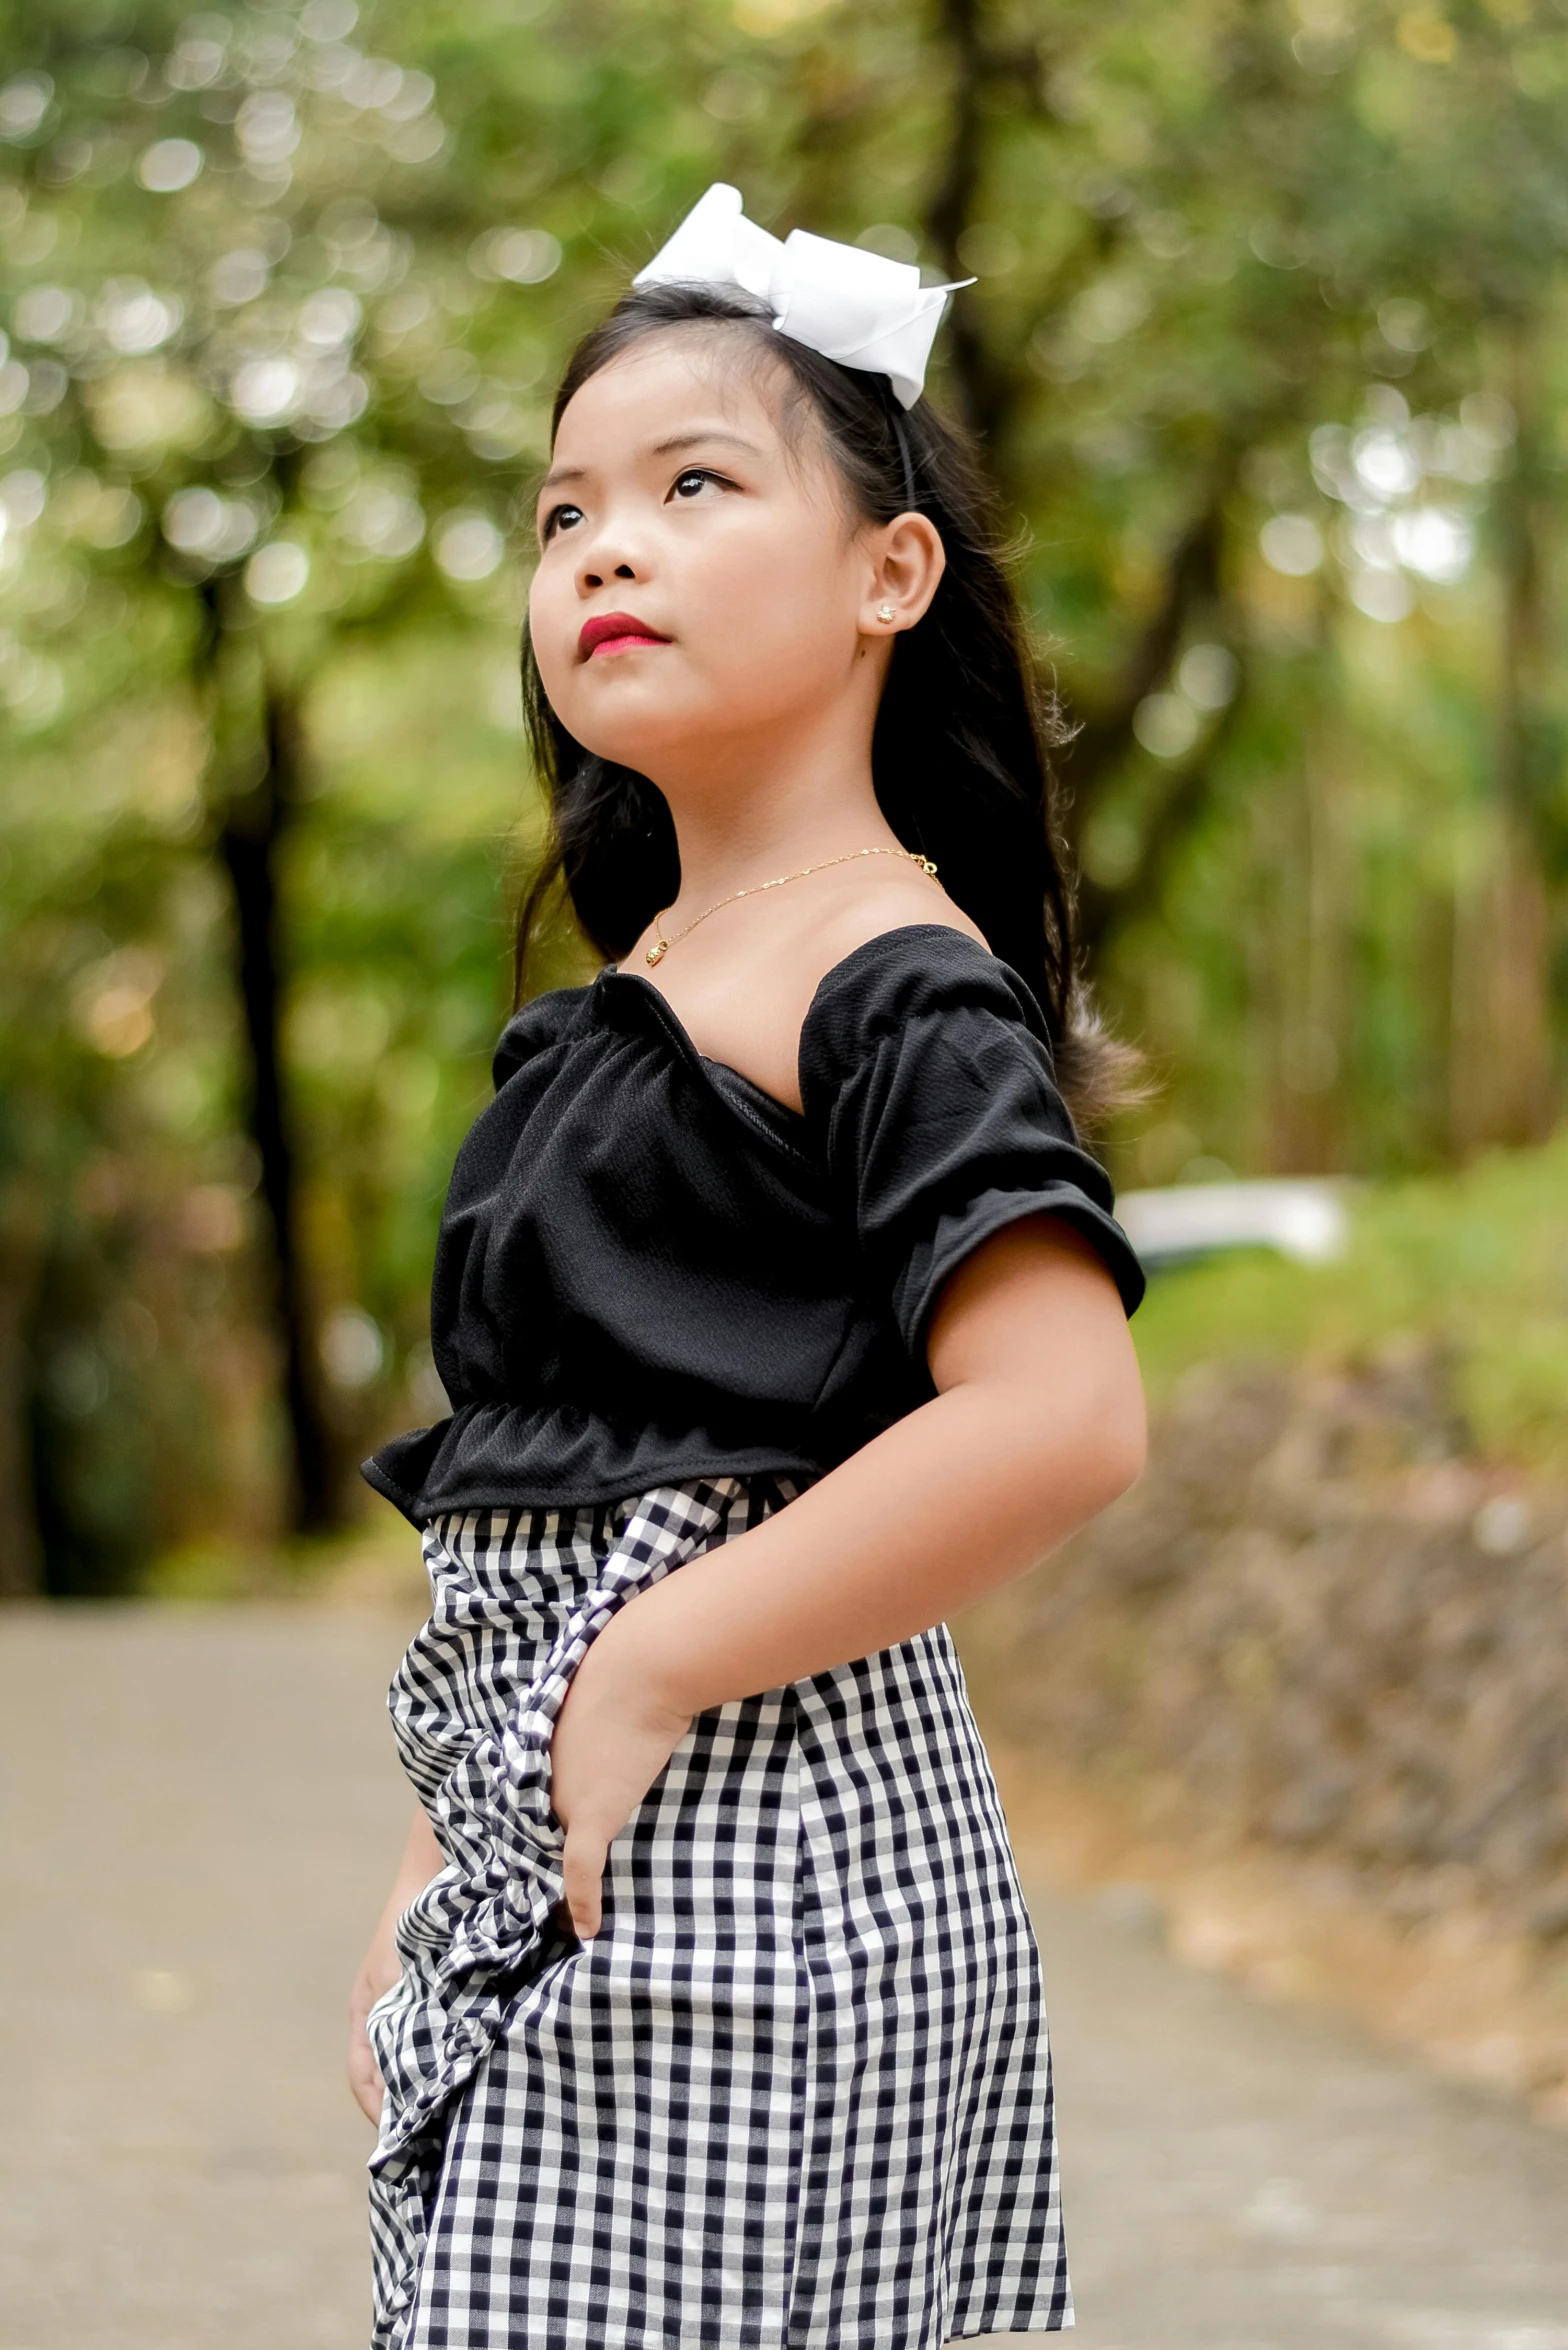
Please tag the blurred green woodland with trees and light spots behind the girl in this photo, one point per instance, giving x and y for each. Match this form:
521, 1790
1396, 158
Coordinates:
1266, 356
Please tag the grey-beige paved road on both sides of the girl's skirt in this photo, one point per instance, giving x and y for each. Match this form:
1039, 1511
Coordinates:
201, 1822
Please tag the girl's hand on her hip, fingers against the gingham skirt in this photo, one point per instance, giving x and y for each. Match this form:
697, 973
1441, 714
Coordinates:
612, 1738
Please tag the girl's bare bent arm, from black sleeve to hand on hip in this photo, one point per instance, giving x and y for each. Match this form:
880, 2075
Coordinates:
1038, 1425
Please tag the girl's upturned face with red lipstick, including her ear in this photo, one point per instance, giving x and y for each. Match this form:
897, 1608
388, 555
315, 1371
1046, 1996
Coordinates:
699, 582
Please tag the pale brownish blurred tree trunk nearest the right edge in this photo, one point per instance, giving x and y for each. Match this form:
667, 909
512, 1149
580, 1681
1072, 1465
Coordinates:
1503, 918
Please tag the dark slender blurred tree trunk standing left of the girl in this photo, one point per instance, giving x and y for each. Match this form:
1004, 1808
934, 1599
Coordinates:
257, 756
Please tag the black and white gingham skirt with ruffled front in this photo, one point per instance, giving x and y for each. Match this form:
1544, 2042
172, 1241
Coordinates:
796, 2093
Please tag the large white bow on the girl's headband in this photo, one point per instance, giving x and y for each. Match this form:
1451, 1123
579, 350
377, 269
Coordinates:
855, 307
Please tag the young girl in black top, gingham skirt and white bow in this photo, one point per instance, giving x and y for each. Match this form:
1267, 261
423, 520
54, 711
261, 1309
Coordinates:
784, 1315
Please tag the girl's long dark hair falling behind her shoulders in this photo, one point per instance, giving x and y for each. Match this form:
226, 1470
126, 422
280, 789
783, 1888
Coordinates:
965, 730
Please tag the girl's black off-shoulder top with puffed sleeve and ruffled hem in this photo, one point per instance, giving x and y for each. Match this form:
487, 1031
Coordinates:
652, 1270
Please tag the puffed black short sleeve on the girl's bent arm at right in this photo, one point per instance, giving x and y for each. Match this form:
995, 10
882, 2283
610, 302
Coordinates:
925, 1068
